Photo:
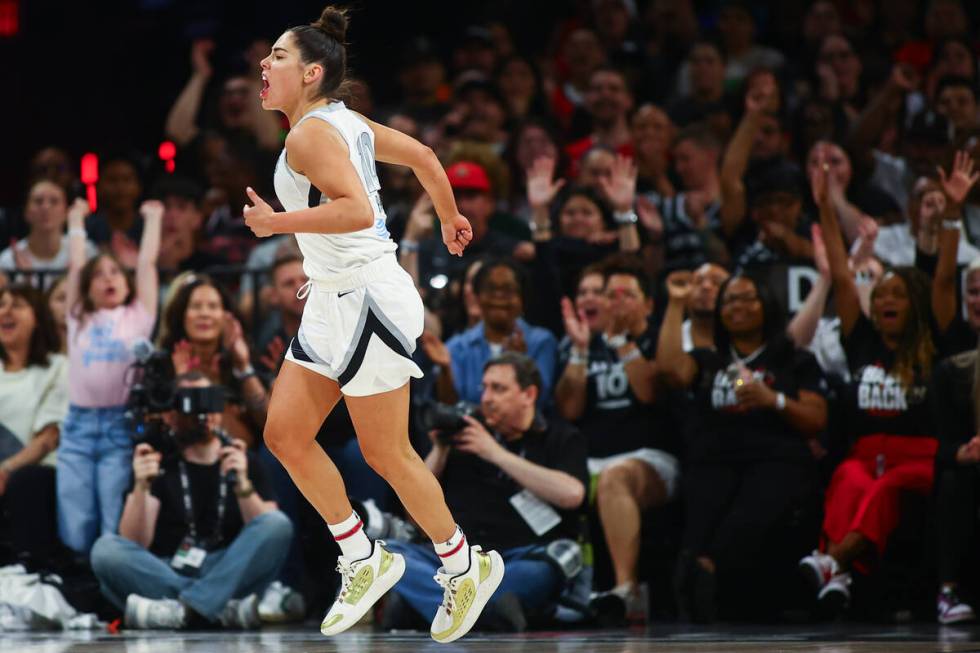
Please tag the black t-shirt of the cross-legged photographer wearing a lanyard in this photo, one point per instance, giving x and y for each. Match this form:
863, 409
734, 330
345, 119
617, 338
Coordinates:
204, 481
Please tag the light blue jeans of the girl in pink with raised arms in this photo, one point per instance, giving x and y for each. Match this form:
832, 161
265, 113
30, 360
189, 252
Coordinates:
95, 463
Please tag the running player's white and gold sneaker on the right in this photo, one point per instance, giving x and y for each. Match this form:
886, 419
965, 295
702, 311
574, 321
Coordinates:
466, 594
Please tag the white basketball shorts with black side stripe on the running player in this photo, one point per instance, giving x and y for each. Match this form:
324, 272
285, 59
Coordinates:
360, 328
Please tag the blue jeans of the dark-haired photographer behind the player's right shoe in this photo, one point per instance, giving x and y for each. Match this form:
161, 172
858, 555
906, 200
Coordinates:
533, 581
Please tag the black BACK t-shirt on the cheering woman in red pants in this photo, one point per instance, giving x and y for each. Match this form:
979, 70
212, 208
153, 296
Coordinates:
875, 402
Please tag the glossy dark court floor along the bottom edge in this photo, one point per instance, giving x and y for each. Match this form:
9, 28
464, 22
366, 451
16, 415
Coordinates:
718, 639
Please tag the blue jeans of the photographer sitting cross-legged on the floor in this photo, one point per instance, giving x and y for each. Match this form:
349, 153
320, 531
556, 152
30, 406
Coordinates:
246, 567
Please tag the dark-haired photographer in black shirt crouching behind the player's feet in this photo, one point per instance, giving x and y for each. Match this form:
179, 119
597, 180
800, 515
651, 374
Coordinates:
514, 482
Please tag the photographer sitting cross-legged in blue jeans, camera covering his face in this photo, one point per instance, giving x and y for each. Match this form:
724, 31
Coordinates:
198, 532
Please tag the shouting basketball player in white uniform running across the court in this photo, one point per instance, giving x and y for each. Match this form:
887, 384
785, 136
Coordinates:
362, 318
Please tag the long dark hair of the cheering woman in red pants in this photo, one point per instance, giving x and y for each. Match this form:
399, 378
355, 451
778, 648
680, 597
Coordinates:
916, 347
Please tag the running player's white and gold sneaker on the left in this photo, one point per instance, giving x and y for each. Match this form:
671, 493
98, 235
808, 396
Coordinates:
362, 583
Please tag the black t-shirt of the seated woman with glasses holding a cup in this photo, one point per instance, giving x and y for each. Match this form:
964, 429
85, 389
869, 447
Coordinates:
721, 431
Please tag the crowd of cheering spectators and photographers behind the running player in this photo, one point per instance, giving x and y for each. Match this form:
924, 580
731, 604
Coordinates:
717, 325
